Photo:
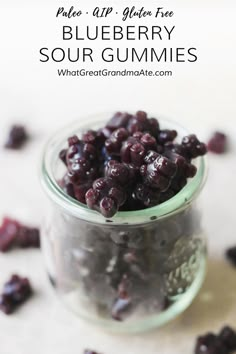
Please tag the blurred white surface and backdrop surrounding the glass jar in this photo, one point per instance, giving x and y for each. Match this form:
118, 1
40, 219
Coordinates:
200, 96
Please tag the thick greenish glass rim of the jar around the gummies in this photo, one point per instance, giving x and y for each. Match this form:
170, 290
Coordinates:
79, 210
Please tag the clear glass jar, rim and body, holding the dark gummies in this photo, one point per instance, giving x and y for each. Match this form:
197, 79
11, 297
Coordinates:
130, 273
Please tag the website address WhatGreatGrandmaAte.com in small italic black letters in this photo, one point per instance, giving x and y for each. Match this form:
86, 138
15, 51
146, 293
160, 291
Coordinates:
109, 73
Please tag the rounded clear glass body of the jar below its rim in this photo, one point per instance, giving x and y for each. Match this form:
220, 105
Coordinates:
130, 273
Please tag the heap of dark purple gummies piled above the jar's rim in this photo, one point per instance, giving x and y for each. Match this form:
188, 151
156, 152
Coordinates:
130, 164
